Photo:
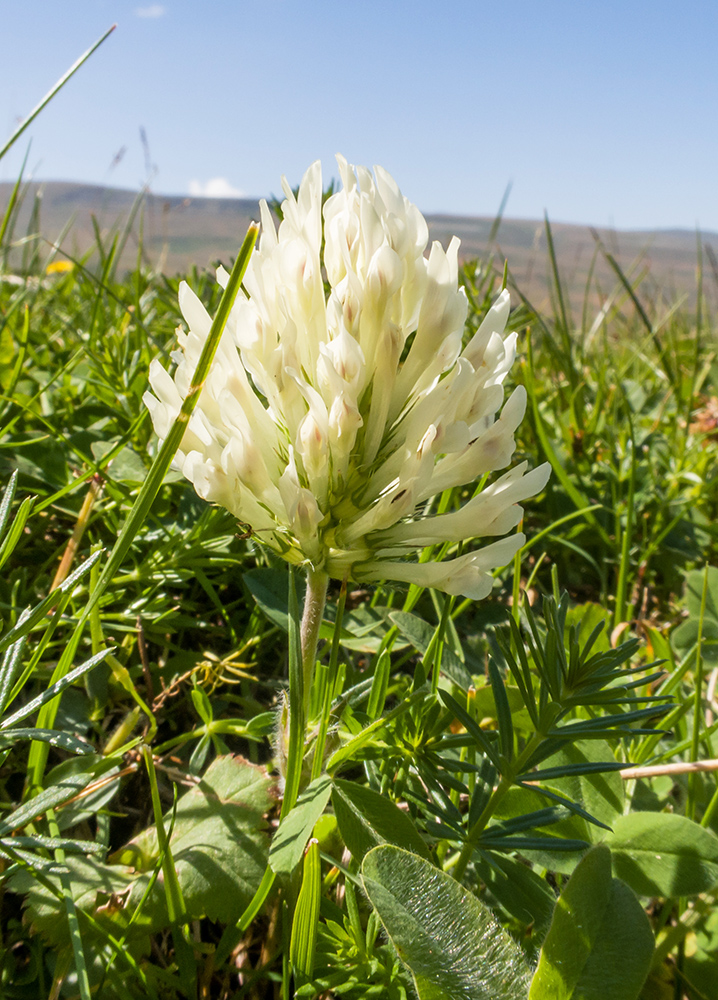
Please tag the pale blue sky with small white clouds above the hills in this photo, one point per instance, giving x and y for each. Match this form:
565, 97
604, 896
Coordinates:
602, 112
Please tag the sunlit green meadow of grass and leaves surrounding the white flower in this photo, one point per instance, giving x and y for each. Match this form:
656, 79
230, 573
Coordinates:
501, 798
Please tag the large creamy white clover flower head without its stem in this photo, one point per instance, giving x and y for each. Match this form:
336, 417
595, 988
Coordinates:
328, 419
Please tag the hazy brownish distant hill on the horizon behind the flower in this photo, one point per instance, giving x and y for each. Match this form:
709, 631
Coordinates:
181, 232
